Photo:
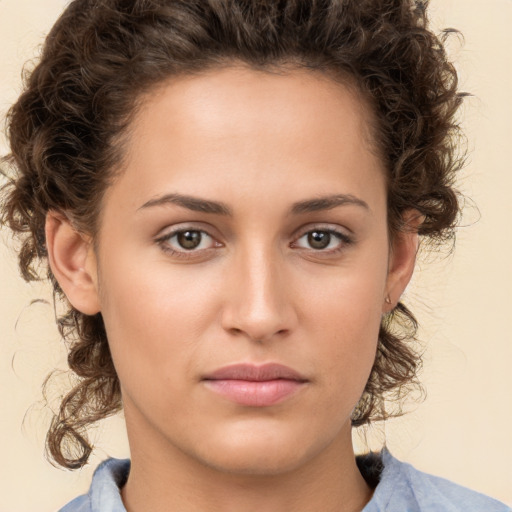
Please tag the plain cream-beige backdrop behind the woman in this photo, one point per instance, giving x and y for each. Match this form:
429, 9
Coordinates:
464, 302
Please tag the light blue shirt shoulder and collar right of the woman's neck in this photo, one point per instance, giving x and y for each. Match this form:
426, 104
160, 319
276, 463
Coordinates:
402, 487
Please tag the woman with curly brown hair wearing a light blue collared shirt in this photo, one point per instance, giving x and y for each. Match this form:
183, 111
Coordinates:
229, 197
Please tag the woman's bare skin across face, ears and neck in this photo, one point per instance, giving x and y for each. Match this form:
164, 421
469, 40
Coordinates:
255, 290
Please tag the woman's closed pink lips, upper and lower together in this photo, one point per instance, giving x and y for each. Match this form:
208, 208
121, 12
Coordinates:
256, 386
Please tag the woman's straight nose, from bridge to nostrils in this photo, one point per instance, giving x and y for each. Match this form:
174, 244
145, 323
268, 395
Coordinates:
258, 303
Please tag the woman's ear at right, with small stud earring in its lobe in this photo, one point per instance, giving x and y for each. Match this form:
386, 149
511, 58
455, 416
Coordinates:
402, 258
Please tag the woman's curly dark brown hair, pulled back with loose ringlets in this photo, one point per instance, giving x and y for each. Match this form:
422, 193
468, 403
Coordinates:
66, 131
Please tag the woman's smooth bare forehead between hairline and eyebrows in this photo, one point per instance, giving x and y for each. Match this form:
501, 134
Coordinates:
236, 128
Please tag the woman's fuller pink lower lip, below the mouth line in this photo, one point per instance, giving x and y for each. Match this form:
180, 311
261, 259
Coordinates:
255, 393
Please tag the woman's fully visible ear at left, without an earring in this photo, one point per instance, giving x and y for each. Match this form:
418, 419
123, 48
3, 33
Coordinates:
73, 263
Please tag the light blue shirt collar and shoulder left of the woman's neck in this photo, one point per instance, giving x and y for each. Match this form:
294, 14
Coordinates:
104, 495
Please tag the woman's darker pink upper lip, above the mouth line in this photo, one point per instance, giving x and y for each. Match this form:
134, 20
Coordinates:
251, 372
